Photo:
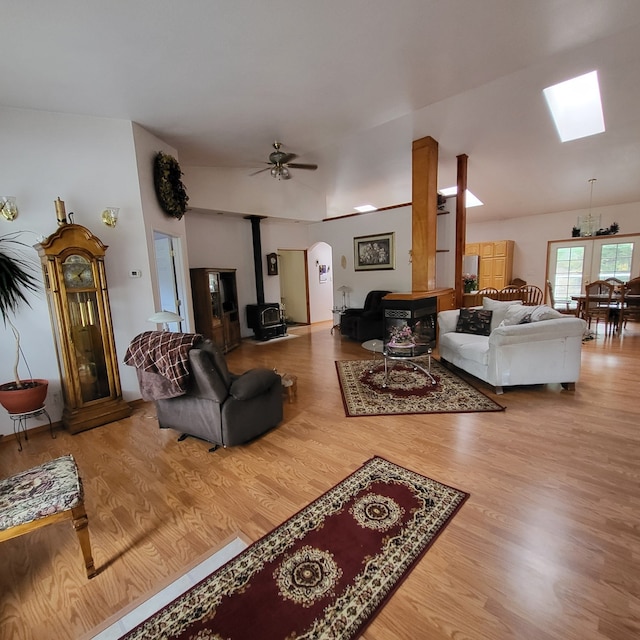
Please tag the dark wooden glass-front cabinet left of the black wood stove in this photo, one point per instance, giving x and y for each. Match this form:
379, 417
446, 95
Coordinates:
215, 305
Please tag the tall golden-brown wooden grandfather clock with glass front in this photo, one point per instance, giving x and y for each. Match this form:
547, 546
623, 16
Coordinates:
76, 285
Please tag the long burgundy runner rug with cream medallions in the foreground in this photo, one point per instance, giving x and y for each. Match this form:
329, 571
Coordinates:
326, 571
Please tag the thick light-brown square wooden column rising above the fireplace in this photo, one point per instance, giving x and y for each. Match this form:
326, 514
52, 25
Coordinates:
424, 213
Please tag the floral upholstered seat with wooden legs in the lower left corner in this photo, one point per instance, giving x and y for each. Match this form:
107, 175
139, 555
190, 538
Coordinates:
41, 496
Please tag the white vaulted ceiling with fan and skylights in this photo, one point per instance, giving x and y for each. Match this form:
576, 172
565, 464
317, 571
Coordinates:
349, 84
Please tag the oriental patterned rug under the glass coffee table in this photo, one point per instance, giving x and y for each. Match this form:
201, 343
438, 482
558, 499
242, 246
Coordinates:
408, 390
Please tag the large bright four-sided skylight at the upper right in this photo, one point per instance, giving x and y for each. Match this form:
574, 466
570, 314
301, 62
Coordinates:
576, 107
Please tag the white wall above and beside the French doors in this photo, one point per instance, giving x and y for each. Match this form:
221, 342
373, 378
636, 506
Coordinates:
532, 233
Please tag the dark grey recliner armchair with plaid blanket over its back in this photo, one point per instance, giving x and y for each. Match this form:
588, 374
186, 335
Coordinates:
214, 405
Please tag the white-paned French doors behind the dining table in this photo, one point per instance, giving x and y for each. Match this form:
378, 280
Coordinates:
574, 263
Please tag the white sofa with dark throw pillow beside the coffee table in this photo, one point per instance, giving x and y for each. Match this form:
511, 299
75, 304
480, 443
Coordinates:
516, 354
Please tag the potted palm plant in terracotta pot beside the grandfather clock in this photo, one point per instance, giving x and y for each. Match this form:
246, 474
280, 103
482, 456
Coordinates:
16, 280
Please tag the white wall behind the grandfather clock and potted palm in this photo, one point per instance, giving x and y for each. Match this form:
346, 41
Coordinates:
90, 164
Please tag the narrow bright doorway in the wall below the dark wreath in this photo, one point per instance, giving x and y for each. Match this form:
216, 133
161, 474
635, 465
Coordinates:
170, 284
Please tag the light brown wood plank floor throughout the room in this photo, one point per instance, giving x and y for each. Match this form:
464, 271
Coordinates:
547, 546
